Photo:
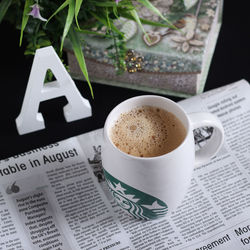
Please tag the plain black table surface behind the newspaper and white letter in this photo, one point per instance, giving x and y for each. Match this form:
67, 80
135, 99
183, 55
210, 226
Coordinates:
230, 63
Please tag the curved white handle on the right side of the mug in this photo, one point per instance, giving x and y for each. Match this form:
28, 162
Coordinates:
213, 145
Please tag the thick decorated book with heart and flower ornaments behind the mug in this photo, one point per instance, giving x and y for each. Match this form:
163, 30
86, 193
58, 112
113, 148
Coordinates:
172, 61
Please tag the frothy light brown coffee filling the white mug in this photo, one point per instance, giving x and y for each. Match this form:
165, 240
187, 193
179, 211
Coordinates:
147, 132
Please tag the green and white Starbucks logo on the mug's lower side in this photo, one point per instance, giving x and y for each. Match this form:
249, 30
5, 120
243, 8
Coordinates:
139, 204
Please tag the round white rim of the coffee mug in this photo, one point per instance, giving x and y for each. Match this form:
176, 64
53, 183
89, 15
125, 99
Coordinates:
106, 132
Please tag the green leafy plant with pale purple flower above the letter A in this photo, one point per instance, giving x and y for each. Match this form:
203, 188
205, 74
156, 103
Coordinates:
43, 23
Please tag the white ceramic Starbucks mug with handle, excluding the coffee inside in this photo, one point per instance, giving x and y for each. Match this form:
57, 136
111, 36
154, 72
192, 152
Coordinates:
152, 187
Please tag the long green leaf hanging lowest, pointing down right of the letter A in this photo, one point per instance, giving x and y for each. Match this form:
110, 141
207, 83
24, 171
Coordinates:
77, 48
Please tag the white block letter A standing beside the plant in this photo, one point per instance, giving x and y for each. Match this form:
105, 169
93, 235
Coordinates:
29, 119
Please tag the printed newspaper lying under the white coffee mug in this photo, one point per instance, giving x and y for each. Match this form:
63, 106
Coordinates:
55, 197
